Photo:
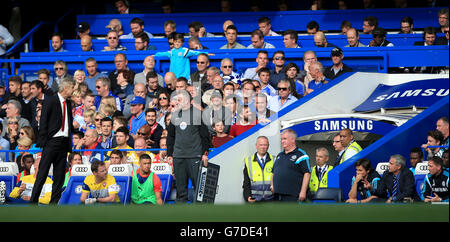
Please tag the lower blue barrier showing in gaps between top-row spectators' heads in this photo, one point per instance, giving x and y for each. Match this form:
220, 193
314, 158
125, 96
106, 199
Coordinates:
212, 43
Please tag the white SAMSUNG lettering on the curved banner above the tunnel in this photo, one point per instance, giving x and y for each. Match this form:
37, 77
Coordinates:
334, 125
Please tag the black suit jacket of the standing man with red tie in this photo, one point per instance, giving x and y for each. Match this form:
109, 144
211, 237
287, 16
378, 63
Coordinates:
51, 120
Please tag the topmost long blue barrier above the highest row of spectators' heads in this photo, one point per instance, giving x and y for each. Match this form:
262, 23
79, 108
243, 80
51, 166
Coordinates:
246, 22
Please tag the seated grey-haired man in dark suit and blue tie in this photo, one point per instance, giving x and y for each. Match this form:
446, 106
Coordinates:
397, 182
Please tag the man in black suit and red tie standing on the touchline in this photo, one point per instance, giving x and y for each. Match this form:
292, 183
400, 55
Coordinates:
54, 138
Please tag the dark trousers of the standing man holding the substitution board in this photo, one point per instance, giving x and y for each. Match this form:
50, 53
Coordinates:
185, 169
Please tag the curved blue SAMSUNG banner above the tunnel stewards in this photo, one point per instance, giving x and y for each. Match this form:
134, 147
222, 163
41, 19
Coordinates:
337, 124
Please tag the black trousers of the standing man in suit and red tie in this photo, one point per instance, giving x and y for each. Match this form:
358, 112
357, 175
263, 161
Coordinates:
54, 152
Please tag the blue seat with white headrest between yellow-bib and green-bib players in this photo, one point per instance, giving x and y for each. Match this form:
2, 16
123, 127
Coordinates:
122, 173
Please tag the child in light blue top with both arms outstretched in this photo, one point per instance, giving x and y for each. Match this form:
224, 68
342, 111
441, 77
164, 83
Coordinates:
179, 57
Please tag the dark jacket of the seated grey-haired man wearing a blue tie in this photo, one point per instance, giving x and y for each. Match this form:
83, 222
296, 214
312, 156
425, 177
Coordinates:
406, 185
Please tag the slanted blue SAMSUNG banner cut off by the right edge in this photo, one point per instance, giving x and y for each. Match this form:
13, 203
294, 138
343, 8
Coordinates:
421, 94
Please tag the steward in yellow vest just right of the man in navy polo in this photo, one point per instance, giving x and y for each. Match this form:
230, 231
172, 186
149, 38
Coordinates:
319, 175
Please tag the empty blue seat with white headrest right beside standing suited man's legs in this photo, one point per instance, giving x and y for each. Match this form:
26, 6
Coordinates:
72, 193
